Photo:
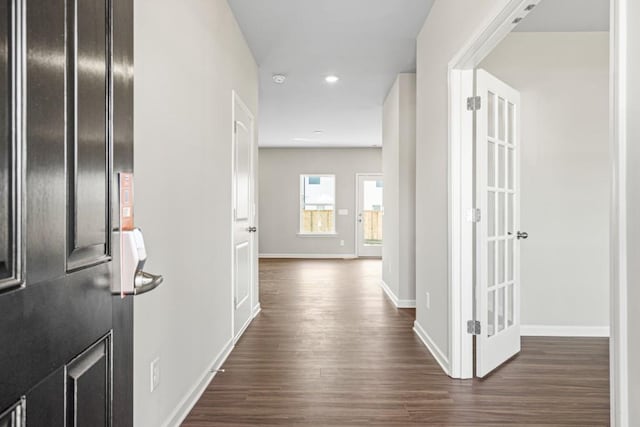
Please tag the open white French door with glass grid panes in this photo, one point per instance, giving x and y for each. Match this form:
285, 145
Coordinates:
497, 238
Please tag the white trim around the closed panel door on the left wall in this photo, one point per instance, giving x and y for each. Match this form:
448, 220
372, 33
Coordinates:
253, 300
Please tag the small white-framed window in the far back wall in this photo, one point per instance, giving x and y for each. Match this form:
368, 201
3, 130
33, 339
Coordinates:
317, 204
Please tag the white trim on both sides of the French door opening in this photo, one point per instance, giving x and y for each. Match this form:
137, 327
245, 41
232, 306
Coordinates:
460, 147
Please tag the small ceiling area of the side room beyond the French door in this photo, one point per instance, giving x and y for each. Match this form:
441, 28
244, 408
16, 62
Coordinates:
567, 16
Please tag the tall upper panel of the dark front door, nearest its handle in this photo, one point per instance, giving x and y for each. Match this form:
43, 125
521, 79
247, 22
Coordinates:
87, 132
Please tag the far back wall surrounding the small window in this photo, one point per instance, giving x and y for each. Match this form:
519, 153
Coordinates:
280, 170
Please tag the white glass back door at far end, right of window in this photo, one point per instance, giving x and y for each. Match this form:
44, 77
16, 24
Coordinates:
369, 215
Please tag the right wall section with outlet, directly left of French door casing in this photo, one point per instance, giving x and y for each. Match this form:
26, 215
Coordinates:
449, 27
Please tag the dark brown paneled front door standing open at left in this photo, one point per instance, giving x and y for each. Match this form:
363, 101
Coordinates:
65, 132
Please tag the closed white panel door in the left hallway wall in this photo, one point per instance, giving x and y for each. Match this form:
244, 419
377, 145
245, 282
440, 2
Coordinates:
244, 227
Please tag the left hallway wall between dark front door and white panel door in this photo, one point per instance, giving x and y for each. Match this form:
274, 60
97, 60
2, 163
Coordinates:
188, 58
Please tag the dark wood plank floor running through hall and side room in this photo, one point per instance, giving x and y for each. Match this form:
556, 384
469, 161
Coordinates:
328, 349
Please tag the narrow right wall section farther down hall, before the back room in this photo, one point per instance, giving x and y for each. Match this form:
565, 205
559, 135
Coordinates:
398, 160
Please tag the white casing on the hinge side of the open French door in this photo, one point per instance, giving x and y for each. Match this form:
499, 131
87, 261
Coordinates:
461, 181
